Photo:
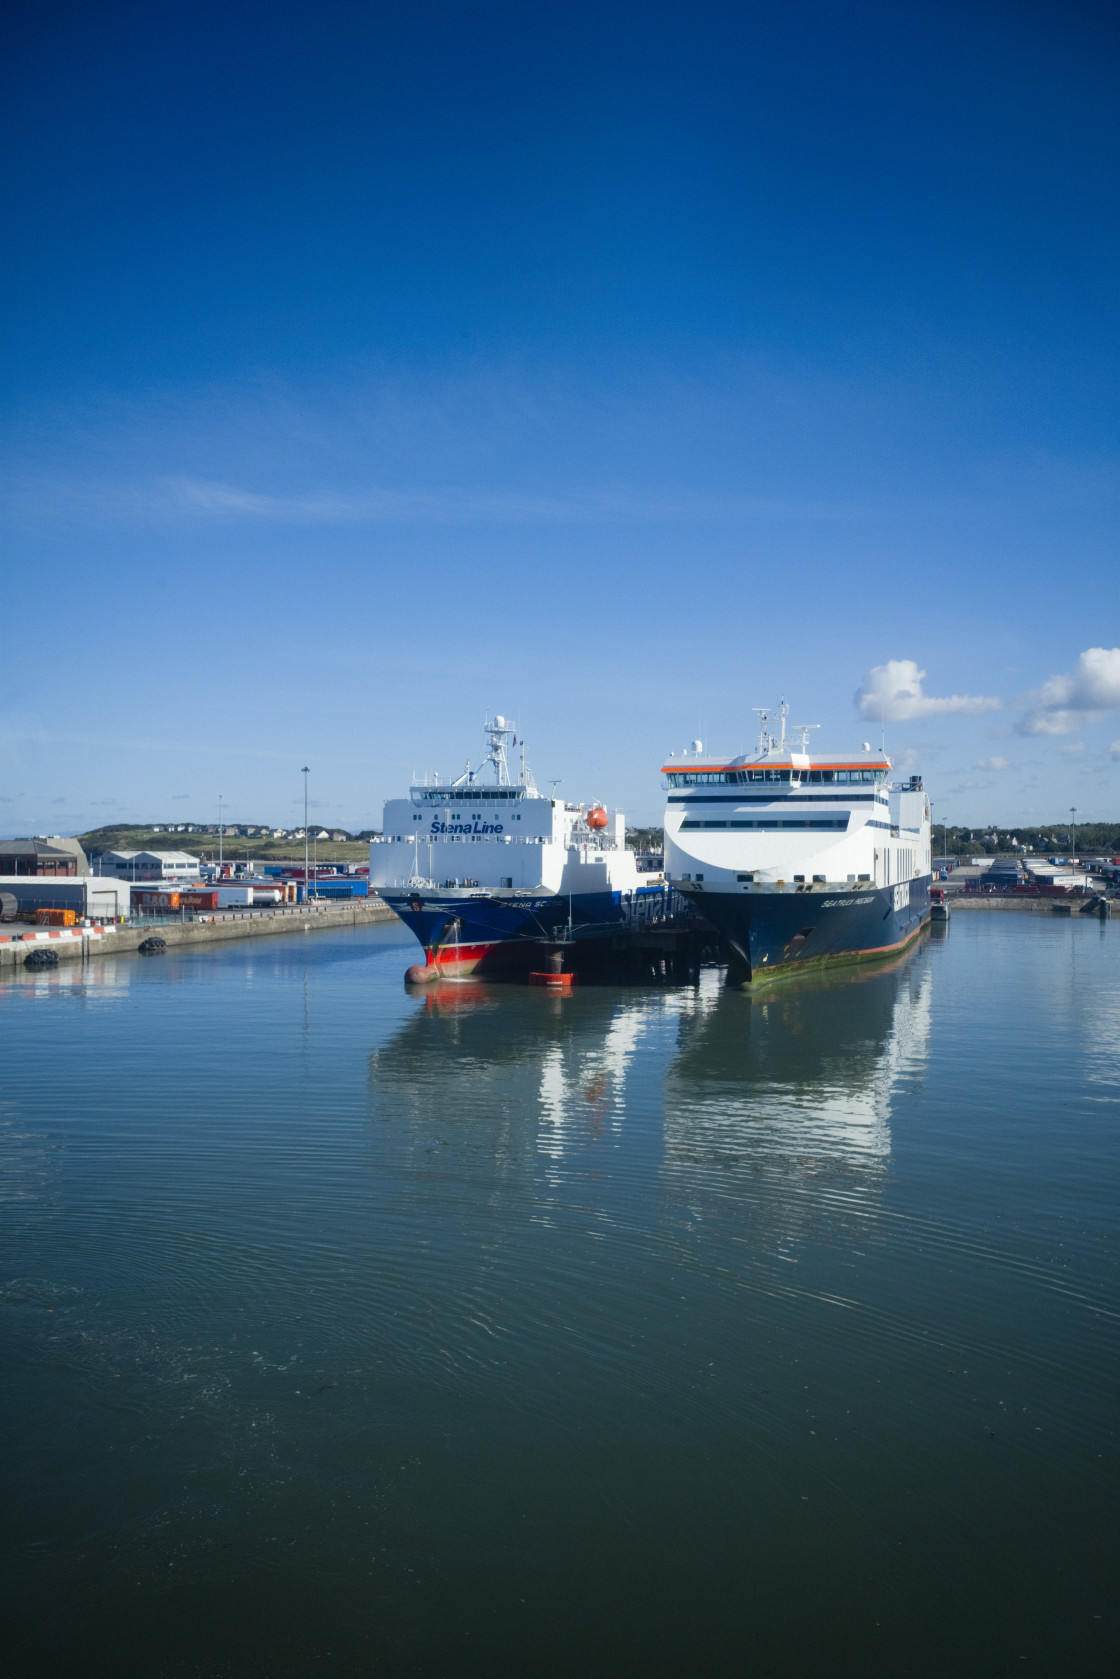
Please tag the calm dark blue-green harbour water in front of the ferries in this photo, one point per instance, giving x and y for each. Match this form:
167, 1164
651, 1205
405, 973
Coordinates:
634, 1332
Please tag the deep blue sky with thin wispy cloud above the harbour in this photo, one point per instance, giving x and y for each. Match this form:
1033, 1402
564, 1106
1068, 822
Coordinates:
620, 369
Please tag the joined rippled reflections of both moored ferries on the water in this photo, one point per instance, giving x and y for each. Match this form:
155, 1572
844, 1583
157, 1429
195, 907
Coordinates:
699, 1089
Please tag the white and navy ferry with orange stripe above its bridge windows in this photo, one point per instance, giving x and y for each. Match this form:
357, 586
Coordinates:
798, 860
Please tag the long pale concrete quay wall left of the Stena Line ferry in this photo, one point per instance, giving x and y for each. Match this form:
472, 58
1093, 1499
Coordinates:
261, 924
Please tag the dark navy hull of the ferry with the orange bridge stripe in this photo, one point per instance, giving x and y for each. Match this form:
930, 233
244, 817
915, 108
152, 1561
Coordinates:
783, 931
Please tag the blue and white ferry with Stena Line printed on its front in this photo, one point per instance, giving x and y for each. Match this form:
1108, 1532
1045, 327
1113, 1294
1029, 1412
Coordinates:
488, 872
